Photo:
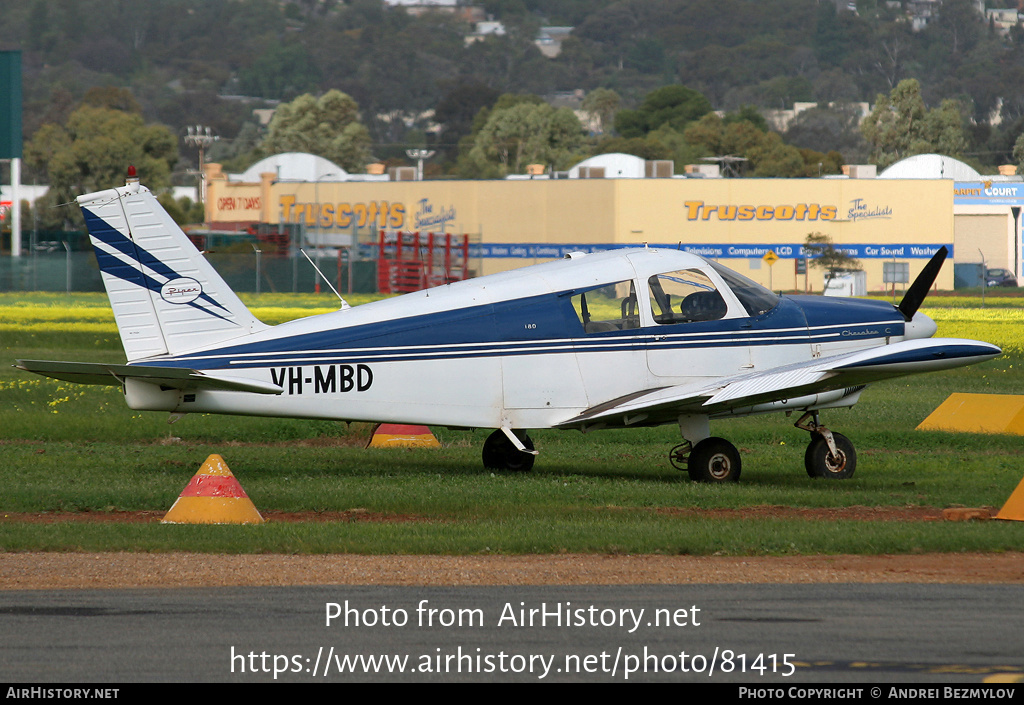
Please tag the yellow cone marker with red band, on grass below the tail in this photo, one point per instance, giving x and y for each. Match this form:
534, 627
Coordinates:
214, 496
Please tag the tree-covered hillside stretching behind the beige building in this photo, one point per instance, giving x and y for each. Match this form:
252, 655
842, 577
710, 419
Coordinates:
651, 75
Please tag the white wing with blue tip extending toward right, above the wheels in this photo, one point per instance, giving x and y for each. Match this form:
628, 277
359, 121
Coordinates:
848, 370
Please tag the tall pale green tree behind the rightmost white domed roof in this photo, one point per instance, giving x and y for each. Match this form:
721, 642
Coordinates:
902, 127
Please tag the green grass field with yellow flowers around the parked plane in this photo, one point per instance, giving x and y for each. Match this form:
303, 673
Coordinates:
72, 448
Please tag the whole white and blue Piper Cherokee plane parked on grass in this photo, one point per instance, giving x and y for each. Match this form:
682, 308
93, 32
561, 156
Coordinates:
629, 338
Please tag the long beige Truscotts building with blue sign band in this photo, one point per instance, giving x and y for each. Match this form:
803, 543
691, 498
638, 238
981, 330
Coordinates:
756, 227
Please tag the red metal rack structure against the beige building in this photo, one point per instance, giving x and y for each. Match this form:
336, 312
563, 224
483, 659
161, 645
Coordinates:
409, 262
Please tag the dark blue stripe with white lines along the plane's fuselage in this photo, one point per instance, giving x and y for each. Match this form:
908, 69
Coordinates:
537, 325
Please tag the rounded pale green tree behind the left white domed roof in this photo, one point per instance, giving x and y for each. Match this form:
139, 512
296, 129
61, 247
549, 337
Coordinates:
328, 127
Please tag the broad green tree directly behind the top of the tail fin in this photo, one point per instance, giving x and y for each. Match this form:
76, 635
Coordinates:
95, 150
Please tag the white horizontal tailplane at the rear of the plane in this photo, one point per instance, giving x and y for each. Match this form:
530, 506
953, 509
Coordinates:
169, 378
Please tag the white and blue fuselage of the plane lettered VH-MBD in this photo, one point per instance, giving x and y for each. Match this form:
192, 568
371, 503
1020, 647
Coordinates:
515, 358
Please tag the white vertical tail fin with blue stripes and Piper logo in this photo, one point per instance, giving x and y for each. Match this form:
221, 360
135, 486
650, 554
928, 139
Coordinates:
167, 299
